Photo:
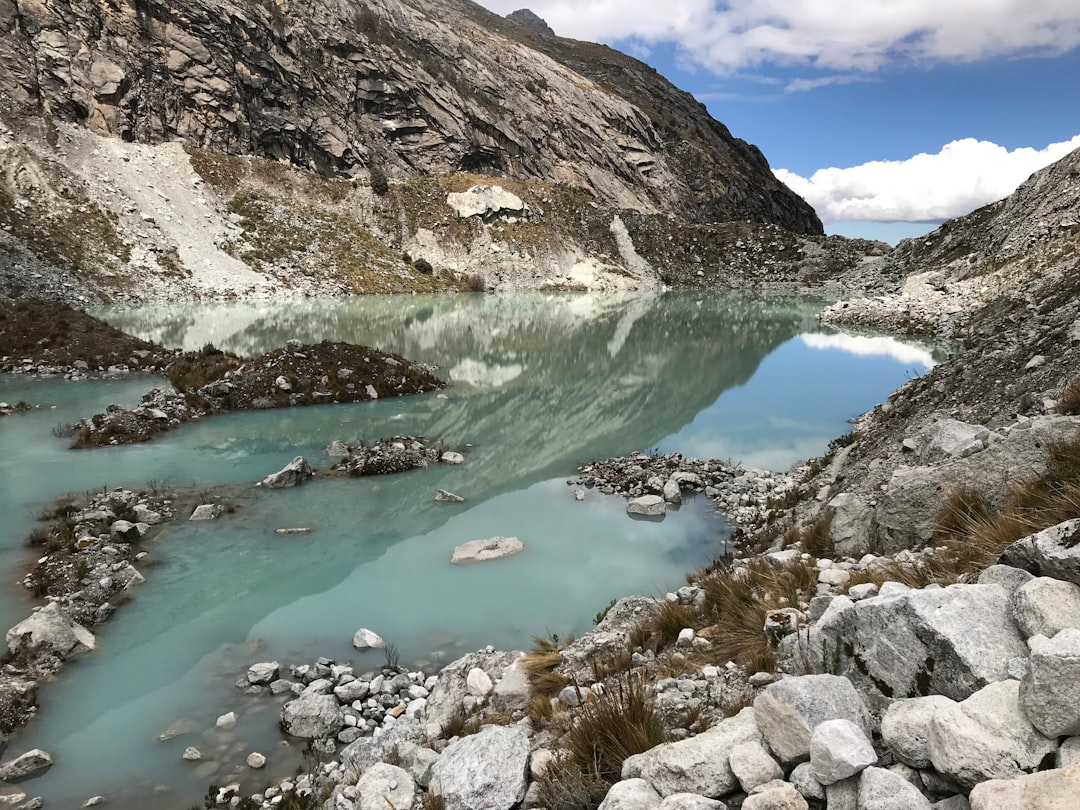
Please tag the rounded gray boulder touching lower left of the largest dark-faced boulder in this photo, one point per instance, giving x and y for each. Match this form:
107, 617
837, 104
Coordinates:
789, 711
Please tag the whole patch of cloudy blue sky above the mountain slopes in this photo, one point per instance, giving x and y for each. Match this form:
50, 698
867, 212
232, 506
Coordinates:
888, 116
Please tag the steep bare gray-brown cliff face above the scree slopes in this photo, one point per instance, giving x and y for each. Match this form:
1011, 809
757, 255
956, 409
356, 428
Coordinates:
396, 87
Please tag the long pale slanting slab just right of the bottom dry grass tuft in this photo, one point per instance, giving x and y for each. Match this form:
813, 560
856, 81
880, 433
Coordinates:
697, 765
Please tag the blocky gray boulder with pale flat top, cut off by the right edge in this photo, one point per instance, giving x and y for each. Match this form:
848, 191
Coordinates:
1050, 690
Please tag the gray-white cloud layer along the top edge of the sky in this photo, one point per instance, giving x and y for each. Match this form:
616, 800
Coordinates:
830, 35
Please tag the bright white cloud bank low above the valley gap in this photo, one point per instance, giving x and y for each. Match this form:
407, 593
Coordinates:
963, 177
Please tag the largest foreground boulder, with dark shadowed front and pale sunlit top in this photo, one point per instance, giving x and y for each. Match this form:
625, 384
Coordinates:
921, 642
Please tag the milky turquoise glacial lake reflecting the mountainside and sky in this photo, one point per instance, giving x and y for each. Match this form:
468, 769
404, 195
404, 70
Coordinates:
539, 384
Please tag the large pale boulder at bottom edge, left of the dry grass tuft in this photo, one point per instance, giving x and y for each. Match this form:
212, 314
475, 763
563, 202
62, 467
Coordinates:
485, 771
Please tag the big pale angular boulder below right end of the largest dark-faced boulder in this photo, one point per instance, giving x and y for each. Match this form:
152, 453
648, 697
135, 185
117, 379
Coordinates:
987, 737
